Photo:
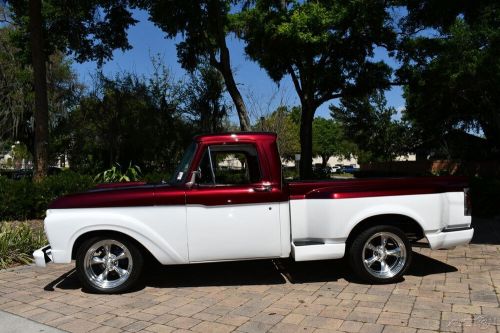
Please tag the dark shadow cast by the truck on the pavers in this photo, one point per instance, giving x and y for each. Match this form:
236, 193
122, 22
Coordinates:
255, 272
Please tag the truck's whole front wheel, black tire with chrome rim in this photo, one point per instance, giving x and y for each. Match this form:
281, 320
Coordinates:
108, 264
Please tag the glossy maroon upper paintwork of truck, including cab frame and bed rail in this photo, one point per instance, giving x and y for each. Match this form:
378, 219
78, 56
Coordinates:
139, 194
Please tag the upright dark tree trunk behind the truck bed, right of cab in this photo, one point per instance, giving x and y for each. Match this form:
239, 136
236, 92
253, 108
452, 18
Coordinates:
306, 120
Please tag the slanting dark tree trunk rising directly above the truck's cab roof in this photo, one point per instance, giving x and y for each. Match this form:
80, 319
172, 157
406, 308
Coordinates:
232, 88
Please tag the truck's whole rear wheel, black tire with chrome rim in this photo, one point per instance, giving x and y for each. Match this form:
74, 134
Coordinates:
376, 263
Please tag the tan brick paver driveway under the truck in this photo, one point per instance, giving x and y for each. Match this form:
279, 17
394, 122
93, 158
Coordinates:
449, 290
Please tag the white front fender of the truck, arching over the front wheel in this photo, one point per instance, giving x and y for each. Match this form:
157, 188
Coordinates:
161, 230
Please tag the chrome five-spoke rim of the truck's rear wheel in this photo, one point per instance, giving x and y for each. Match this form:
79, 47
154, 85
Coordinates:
384, 255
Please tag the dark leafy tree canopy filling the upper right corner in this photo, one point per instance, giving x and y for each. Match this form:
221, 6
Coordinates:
452, 69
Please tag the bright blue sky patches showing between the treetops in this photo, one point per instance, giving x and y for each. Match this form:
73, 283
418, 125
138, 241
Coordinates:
261, 94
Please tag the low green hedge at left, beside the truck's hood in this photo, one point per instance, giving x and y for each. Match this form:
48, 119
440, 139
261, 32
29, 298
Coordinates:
24, 199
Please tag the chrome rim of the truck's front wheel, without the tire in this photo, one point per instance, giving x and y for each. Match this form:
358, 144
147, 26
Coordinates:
108, 264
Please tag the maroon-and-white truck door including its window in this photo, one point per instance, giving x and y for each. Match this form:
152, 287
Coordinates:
231, 212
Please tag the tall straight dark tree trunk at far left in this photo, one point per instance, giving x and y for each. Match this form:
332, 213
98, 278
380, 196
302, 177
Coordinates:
41, 114
